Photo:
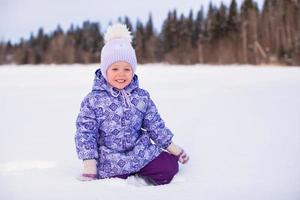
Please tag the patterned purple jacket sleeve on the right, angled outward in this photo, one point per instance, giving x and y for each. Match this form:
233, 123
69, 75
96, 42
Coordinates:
155, 126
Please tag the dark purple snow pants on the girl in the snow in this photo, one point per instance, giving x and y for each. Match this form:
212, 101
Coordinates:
159, 171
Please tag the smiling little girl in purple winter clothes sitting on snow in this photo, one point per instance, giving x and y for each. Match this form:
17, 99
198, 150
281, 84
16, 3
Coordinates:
119, 130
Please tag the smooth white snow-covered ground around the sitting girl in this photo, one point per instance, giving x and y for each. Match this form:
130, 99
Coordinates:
240, 125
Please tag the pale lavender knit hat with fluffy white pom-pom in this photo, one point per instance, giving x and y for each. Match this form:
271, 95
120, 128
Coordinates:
117, 48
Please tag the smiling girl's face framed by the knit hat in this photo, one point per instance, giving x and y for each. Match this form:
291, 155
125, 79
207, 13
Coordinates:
119, 74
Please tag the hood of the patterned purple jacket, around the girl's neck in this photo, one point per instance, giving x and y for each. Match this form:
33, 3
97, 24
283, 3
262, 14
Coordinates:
101, 84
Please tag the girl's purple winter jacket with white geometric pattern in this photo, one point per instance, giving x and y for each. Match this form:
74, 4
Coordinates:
123, 136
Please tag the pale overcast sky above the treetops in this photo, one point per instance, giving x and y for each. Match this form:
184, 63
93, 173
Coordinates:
20, 18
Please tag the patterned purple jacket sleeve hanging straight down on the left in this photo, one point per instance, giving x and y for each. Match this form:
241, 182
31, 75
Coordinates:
86, 131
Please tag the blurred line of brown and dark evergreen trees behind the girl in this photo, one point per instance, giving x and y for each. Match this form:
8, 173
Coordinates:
224, 35
